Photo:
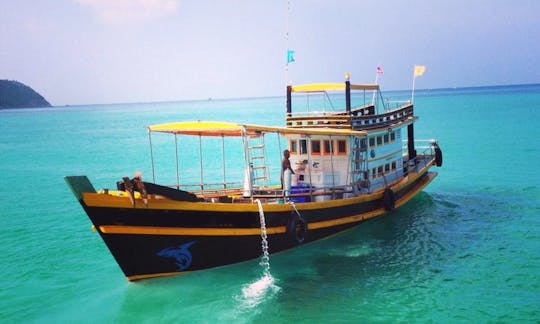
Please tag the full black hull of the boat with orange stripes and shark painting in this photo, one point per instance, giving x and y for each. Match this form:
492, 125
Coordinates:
169, 239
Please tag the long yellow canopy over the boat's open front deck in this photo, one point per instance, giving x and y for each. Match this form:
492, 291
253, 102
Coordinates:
216, 128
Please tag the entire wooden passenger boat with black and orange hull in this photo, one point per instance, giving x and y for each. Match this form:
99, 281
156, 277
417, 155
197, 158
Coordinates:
349, 165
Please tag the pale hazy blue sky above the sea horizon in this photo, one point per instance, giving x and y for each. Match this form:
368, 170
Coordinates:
76, 52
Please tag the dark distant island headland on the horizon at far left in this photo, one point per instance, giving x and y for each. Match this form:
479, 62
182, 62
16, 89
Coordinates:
14, 94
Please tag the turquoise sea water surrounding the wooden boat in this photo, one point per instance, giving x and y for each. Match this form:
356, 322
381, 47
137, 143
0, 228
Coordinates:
467, 249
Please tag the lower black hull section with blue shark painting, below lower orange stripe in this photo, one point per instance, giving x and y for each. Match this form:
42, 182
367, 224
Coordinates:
142, 256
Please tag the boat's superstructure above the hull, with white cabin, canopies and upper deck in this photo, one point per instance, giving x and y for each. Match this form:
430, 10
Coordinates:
344, 140
